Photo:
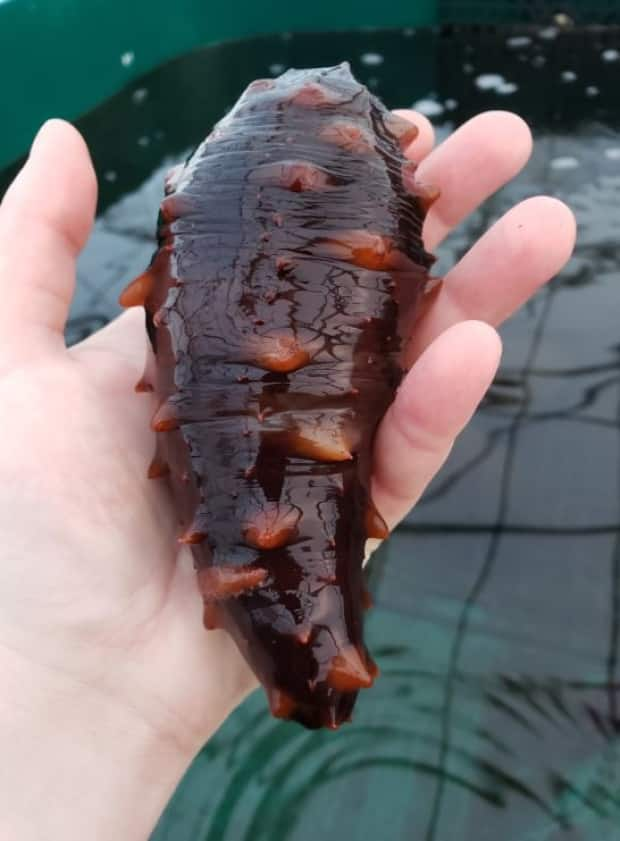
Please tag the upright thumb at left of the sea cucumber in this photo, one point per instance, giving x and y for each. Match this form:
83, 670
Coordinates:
45, 219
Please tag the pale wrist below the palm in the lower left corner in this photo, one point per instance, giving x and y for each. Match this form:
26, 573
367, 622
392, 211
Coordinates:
102, 771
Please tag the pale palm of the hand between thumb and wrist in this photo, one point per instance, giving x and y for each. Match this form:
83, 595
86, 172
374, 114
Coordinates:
92, 589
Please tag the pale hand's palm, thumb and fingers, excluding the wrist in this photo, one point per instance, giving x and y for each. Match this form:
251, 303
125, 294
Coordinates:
90, 587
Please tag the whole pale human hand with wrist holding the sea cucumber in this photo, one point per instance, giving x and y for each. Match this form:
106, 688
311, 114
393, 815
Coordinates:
109, 671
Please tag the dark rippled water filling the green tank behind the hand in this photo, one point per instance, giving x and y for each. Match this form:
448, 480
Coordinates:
497, 618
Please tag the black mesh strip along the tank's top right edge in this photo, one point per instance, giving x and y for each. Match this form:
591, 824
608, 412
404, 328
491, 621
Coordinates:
529, 11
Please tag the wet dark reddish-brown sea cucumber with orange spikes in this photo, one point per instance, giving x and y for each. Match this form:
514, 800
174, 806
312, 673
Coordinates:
289, 259
